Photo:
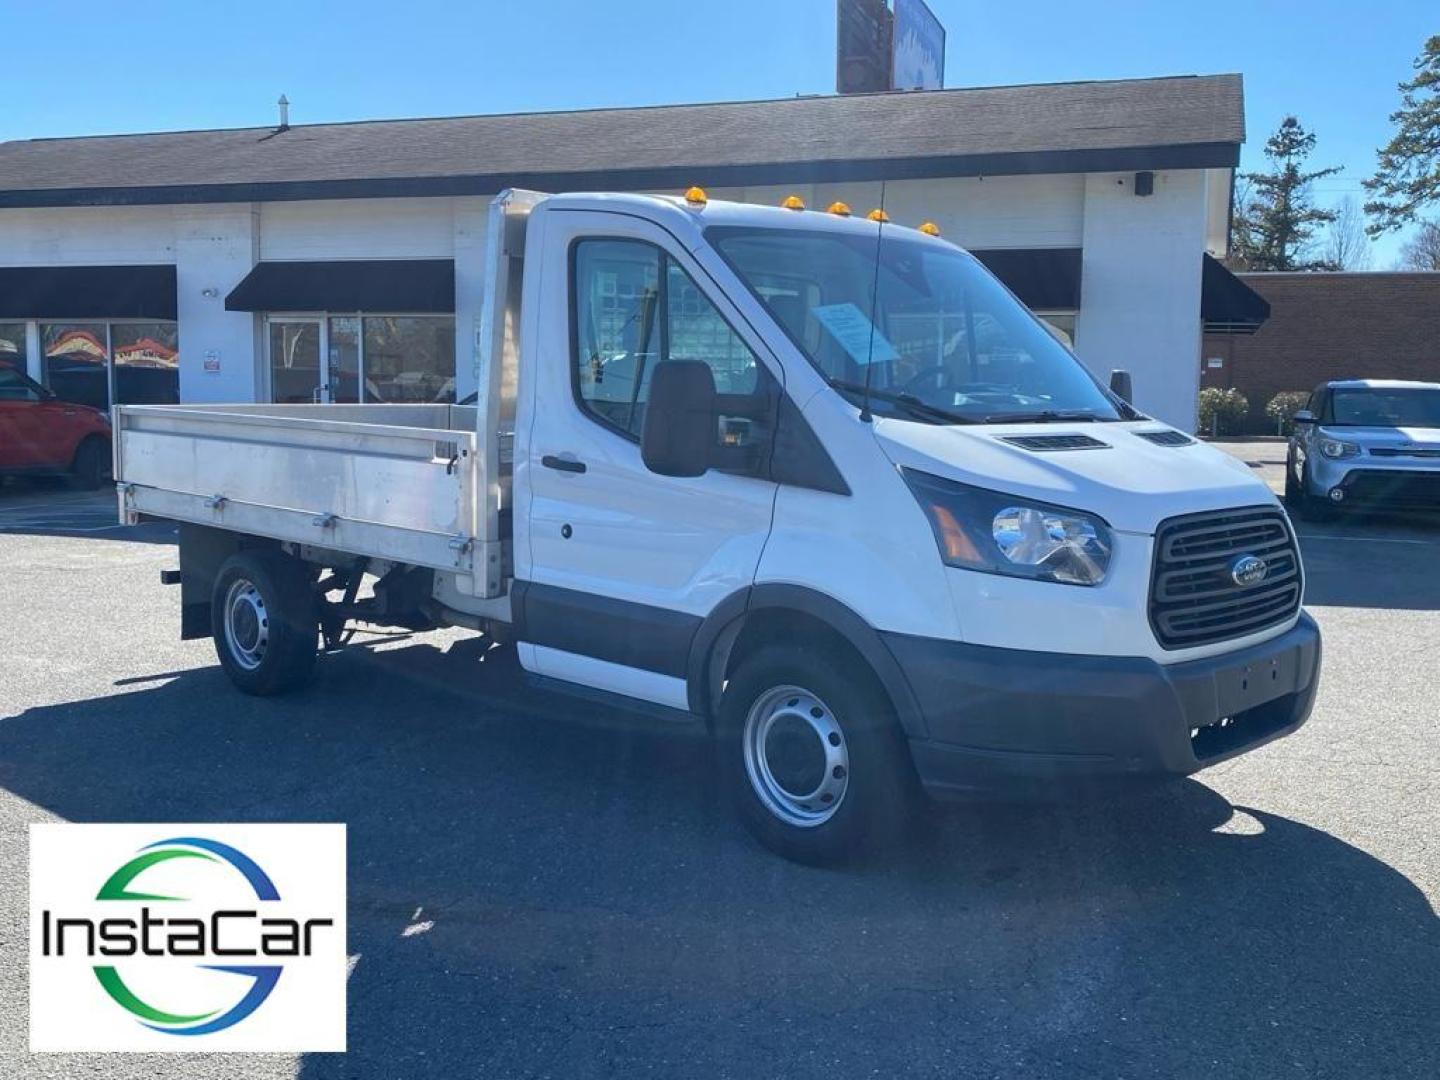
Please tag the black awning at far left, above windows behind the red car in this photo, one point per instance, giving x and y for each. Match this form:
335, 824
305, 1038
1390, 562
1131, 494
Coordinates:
78, 293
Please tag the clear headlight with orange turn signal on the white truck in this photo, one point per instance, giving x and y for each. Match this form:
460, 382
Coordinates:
994, 534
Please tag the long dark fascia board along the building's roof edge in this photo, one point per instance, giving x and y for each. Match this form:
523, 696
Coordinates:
760, 174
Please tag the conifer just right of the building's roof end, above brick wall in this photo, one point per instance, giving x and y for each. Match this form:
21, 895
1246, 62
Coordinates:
1277, 221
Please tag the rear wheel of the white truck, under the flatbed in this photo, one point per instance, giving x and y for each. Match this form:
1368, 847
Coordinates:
266, 623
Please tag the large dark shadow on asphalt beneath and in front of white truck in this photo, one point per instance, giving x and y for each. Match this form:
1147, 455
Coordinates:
534, 895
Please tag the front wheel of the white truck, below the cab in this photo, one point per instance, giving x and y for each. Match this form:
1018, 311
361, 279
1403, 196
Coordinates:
814, 757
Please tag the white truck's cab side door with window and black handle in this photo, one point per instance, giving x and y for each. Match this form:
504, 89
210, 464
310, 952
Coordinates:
621, 565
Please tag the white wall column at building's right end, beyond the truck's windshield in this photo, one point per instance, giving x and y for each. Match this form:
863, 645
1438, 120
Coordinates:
1140, 289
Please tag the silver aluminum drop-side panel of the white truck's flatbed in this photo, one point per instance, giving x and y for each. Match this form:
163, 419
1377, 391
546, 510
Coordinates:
387, 482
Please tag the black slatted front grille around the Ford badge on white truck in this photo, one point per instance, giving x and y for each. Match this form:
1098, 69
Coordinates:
1194, 598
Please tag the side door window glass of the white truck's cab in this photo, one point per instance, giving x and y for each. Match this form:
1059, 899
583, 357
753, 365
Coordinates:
634, 307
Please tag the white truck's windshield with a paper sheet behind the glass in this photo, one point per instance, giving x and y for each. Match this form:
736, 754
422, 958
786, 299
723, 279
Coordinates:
944, 341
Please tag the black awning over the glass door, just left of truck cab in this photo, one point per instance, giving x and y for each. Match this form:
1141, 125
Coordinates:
348, 286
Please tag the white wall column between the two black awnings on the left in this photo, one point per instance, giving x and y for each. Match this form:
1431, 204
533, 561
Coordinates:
217, 246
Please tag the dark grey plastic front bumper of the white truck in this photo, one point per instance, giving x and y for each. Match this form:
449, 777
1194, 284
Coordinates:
1007, 719
